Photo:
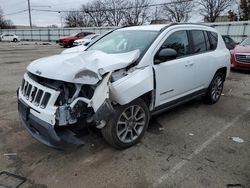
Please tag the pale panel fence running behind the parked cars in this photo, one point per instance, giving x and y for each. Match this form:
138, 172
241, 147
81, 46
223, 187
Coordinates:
237, 30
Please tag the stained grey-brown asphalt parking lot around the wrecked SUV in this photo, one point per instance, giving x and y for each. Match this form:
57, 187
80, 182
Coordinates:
190, 146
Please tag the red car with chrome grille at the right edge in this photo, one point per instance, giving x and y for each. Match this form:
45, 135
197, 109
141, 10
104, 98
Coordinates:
240, 55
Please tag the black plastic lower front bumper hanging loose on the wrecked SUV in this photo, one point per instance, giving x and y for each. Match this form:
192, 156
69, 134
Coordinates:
40, 130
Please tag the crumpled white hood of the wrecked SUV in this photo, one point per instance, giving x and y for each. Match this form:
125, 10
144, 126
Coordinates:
85, 67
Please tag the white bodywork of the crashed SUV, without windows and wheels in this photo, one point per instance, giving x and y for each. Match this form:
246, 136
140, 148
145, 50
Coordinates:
116, 80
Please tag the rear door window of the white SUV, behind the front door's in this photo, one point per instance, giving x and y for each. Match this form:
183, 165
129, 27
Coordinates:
199, 43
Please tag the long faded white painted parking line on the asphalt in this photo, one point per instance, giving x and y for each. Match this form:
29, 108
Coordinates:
179, 165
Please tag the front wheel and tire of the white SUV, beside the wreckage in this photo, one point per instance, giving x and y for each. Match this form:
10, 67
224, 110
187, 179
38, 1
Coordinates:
133, 121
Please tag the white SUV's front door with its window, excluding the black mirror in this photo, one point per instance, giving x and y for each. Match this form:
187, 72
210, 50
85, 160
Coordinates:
174, 78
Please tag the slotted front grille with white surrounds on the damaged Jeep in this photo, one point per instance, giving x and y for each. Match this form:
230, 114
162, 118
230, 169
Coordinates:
35, 95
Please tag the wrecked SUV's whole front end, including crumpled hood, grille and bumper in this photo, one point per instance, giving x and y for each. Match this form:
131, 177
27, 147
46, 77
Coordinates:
52, 105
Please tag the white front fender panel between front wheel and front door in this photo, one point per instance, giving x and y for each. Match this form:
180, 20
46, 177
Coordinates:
132, 86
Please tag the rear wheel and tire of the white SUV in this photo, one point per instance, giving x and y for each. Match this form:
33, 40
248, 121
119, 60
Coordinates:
215, 89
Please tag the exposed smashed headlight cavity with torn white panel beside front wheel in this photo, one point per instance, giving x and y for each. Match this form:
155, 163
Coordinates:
90, 103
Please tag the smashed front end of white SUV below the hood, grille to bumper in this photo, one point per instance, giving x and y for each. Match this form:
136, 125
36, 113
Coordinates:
51, 110
